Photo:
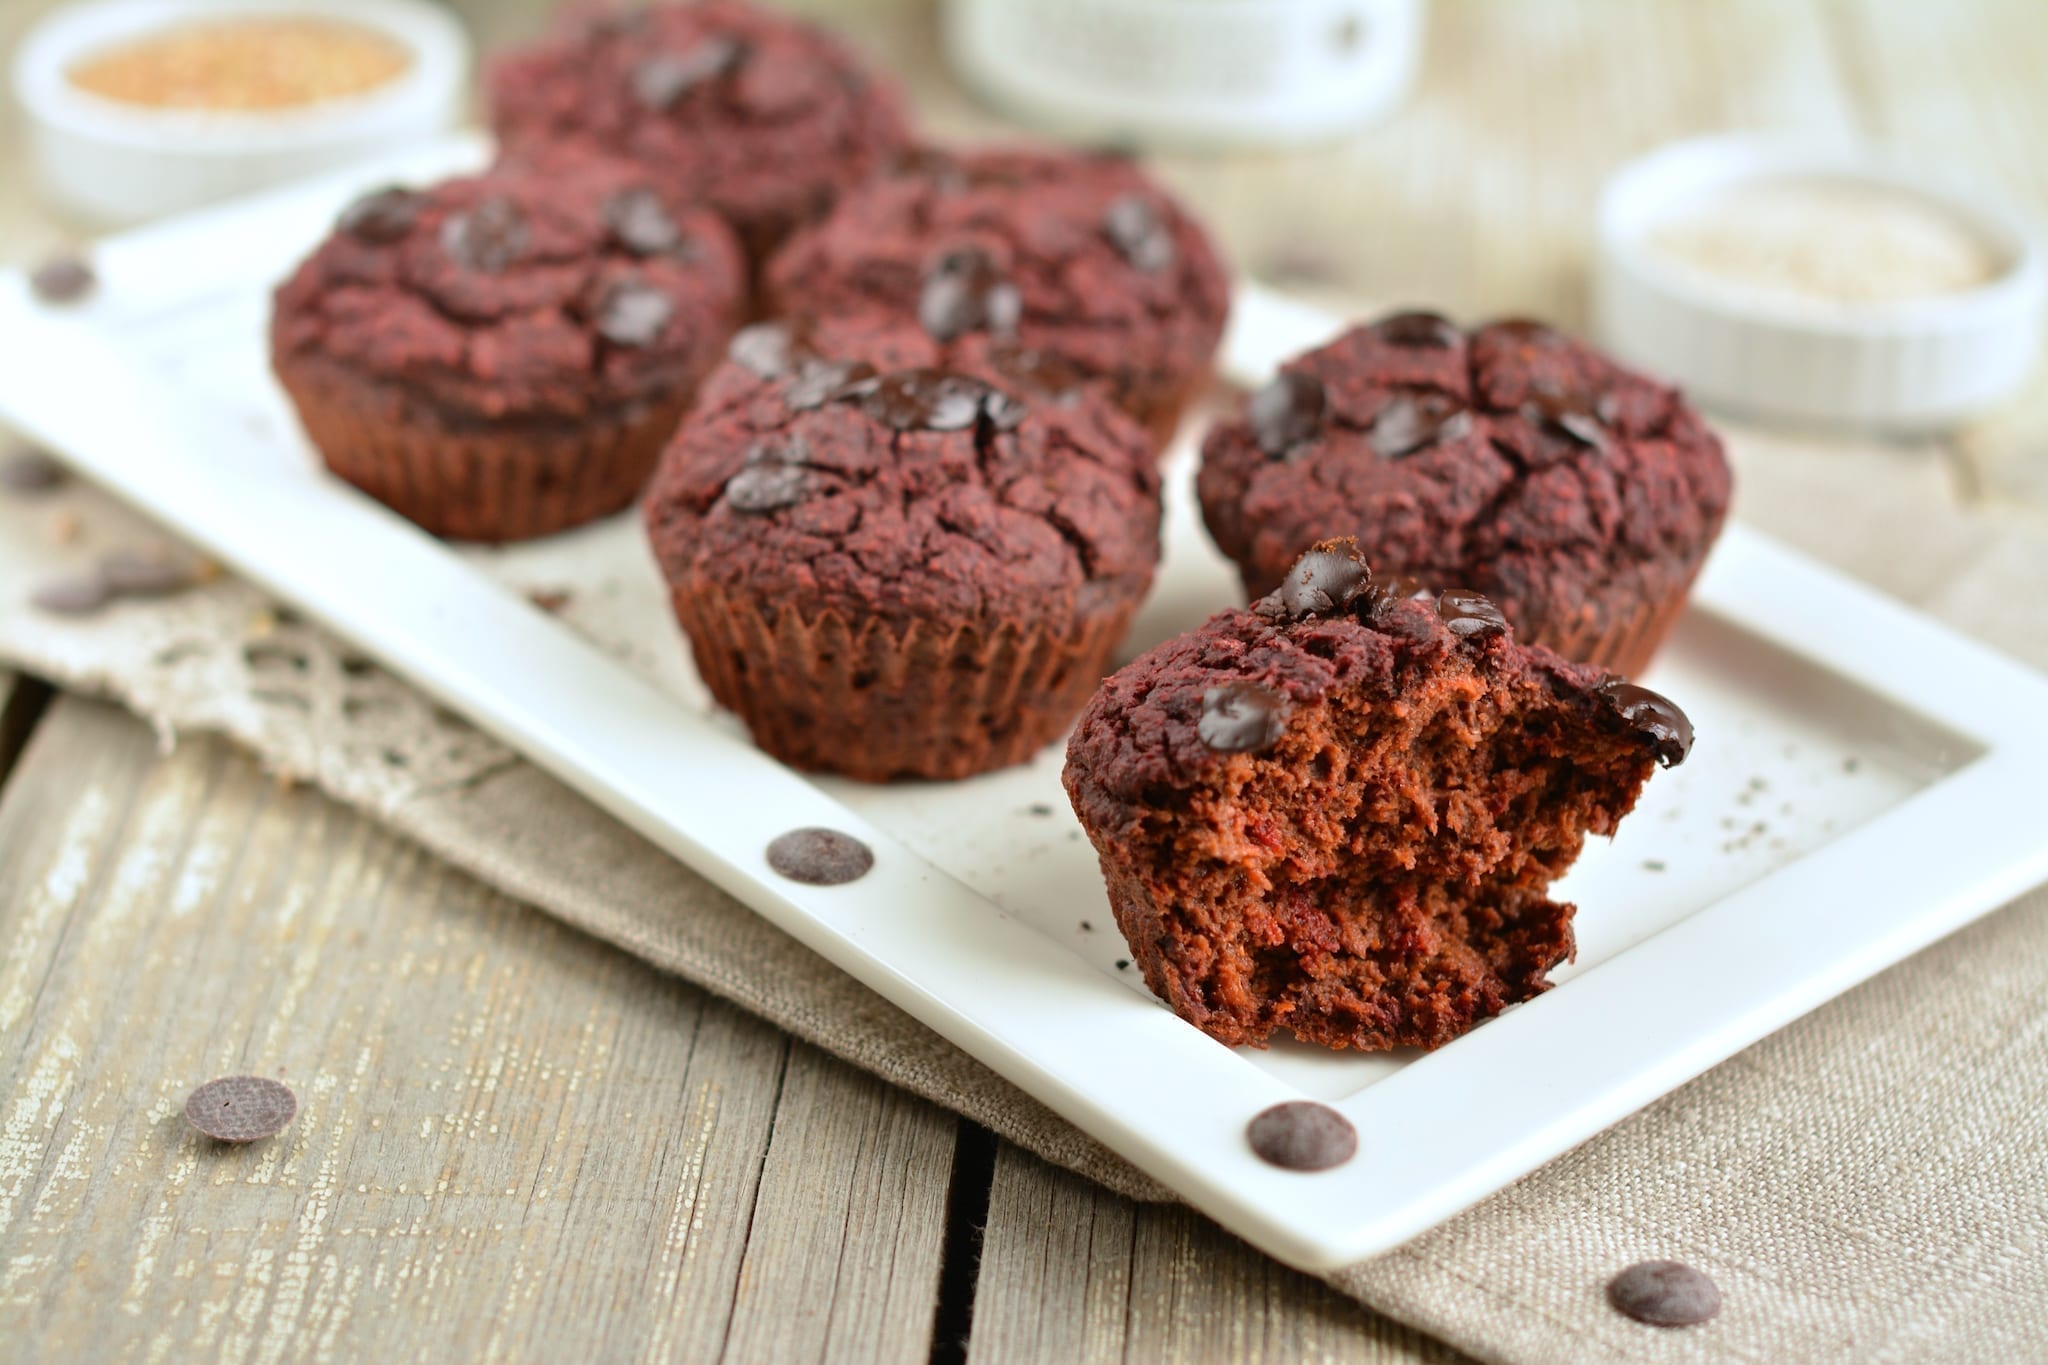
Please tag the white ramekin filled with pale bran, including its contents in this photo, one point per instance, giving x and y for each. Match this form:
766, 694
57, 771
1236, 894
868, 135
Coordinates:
1818, 283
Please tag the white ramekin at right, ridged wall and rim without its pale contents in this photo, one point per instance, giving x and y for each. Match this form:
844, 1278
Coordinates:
1910, 365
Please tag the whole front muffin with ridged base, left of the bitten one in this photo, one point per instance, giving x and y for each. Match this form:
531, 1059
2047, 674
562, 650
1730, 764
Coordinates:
900, 572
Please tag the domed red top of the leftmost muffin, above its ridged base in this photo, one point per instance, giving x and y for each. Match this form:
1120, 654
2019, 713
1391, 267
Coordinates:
548, 290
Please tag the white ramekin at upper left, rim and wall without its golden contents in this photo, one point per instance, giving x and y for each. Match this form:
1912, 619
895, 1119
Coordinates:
112, 163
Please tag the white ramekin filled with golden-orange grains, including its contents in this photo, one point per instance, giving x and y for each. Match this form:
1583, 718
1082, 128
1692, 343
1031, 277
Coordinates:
146, 107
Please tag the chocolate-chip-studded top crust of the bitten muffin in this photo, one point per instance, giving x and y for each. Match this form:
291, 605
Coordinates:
1181, 711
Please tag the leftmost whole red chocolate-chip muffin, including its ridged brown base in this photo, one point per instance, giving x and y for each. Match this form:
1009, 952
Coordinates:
505, 357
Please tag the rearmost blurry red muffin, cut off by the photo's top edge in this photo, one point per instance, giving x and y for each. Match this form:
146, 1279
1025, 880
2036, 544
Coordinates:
761, 116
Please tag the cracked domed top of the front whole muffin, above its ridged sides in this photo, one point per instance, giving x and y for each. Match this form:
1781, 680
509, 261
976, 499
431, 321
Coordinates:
814, 478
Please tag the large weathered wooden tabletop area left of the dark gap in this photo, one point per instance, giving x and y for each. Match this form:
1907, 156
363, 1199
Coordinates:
513, 1143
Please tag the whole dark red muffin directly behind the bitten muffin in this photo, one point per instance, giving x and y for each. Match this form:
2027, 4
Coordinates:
1512, 461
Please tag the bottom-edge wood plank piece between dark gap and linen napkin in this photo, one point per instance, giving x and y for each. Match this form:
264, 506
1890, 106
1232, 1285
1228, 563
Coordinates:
1076, 1274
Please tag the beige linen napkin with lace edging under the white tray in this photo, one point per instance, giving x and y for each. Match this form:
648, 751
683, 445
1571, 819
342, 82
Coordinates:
1869, 1184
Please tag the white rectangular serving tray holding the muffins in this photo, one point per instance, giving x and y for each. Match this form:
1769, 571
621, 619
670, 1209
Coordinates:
1865, 781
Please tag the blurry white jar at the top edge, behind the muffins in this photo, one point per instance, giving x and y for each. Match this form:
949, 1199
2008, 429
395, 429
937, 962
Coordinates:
1189, 71
